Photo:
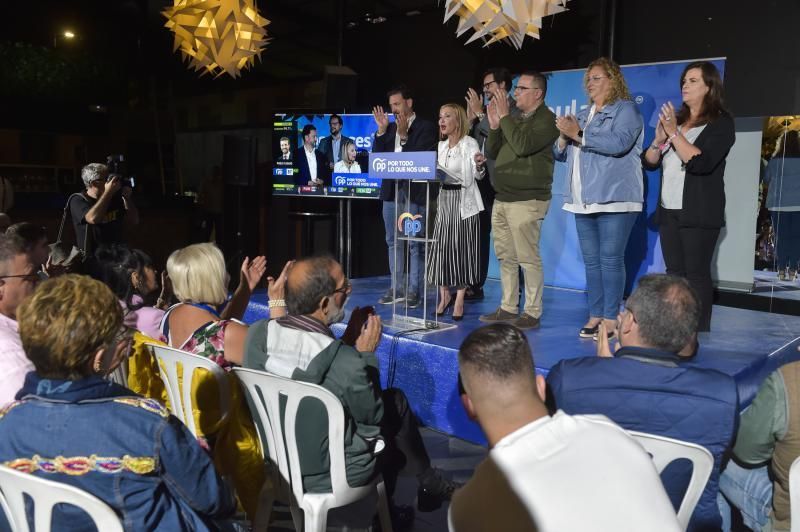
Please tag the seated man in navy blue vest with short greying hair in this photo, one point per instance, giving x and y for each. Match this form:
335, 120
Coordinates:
647, 386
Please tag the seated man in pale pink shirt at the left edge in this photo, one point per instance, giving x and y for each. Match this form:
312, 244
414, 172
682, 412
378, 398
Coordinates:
18, 278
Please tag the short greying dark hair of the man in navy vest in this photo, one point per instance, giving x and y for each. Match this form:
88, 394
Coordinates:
667, 311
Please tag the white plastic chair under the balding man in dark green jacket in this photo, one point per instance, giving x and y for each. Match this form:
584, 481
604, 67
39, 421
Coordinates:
265, 391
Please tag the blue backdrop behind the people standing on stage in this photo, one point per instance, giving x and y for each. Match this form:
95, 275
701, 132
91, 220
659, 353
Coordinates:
650, 86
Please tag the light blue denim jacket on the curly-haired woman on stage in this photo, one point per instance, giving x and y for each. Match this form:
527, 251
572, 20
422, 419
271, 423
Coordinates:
611, 169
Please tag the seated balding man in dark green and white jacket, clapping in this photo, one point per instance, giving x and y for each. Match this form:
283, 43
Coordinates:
302, 347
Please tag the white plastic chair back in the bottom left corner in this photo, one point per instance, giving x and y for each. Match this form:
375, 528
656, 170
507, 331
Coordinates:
45, 495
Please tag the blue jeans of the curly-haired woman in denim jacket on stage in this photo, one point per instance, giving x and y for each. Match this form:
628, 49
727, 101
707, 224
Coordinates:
603, 238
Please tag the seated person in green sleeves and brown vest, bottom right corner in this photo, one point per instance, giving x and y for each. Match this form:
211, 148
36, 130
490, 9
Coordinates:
767, 443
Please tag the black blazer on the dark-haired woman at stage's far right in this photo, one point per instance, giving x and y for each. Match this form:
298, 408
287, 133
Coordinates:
704, 187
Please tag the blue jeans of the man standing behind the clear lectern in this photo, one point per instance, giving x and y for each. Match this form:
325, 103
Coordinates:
415, 256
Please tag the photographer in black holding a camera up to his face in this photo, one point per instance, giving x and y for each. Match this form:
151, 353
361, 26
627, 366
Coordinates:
102, 208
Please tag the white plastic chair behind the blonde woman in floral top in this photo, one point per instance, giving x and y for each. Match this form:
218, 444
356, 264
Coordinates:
181, 399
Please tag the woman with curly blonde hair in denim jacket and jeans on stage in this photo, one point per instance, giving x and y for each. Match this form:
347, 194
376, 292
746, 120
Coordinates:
602, 146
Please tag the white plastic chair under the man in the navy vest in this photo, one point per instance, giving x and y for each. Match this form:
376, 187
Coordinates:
665, 451
